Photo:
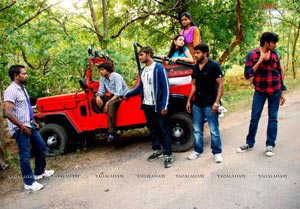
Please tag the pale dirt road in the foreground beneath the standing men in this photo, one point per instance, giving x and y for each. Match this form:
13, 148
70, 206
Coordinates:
120, 177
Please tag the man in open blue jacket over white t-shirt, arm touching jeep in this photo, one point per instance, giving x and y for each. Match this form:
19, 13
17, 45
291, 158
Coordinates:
154, 90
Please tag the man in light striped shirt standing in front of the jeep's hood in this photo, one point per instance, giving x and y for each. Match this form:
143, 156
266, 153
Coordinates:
21, 126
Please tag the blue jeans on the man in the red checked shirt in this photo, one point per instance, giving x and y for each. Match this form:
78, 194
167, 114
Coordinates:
259, 100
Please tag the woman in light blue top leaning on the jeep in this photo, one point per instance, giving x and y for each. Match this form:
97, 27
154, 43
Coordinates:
178, 51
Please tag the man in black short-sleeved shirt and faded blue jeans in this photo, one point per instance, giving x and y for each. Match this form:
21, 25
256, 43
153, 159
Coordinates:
207, 89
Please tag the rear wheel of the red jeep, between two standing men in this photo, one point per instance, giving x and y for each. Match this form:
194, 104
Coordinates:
181, 128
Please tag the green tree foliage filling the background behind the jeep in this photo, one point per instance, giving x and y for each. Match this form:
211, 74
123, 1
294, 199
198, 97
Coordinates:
52, 41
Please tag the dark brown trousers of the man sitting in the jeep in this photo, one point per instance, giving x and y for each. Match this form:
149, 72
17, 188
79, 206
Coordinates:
113, 106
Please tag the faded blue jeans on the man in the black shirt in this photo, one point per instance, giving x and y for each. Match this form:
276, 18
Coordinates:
199, 115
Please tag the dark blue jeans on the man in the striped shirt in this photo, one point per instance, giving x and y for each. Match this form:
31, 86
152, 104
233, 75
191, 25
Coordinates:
39, 151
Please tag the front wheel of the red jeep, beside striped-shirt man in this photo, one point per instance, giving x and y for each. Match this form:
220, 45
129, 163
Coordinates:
55, 137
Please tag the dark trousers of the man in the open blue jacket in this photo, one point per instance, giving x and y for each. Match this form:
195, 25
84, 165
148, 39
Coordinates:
159, 130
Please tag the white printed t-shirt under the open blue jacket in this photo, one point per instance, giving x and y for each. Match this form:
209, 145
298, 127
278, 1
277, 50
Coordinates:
148, 85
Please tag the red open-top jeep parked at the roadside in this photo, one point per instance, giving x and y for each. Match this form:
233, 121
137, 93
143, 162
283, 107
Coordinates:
74, 116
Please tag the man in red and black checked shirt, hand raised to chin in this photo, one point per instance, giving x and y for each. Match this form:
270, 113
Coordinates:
263, 65
